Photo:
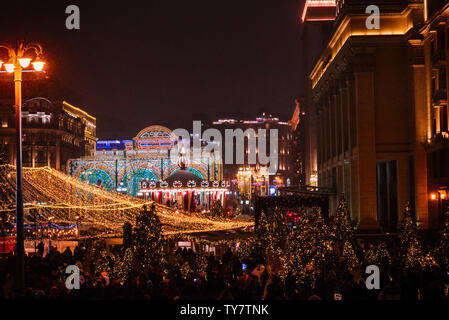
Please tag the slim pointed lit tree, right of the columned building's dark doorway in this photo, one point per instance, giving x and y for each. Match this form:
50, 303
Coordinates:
410, 251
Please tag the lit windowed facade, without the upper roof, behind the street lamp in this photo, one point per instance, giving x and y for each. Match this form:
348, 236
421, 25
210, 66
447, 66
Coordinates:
52, 133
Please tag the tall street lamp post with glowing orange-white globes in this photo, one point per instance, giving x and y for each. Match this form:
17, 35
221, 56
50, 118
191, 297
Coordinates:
18, 58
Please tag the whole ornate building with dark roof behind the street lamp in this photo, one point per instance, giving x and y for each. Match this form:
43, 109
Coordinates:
54, 131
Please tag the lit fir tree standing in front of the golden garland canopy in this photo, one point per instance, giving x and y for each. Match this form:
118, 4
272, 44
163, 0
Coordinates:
148, 239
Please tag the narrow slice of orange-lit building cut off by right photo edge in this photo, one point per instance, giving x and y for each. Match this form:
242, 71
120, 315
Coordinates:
434, 68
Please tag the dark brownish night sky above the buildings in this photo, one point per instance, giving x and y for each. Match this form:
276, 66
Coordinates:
137, 63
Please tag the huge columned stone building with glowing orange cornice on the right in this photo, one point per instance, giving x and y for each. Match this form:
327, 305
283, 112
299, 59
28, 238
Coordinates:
369, 99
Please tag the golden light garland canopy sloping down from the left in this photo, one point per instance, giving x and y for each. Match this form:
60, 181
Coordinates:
52, 195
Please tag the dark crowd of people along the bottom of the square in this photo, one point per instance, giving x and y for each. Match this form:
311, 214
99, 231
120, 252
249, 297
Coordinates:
225, 278
